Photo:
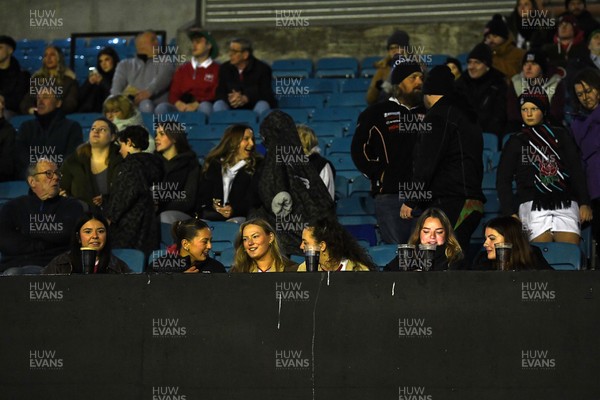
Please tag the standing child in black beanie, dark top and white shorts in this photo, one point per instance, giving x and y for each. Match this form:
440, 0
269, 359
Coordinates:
551, 187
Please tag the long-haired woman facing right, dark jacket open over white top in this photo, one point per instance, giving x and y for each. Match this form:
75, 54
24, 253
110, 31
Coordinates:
227, 176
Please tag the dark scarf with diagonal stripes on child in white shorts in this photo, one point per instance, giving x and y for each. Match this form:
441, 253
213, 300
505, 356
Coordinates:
551, 179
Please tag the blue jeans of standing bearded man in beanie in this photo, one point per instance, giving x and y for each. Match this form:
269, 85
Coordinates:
392, 228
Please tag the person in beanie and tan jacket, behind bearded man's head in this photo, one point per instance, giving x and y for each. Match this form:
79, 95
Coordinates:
379, 87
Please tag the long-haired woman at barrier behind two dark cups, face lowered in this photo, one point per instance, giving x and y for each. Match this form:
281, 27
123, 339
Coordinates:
433, 227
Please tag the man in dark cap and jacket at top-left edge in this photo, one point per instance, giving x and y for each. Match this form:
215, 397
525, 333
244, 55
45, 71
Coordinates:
13, 82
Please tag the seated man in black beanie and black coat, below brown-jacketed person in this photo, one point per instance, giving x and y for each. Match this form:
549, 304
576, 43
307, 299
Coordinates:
485, 88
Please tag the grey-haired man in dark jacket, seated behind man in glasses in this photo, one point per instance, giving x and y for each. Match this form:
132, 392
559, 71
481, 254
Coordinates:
50, 135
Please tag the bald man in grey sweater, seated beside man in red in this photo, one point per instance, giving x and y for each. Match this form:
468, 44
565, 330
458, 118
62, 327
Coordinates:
142, 78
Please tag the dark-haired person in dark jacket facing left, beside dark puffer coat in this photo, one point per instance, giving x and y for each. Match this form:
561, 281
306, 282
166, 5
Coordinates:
178, 189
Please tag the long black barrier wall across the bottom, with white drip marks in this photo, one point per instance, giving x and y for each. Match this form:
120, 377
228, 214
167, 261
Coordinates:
367, 336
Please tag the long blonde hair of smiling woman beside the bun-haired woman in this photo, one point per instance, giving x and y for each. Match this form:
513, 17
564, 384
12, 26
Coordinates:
242, 261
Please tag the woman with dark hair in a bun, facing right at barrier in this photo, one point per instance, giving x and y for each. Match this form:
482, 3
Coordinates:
192, 250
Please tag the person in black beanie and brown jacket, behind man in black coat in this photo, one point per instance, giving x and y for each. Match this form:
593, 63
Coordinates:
506, 56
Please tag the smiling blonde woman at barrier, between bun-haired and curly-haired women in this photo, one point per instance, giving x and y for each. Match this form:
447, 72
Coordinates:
257, 249
